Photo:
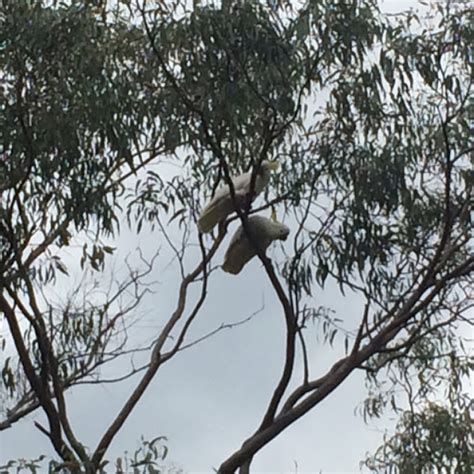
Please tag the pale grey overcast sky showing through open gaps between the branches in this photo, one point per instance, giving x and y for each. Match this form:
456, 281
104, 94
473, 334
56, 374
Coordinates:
211, 397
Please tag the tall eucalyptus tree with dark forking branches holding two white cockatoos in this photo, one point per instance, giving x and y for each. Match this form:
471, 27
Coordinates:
370, 118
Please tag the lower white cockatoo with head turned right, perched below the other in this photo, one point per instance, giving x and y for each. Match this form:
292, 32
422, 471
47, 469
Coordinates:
263, 232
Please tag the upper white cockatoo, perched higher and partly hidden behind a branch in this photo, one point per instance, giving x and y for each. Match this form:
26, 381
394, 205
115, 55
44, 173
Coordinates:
221, 205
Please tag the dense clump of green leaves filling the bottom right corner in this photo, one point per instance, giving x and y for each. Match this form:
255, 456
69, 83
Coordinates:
436, 438
